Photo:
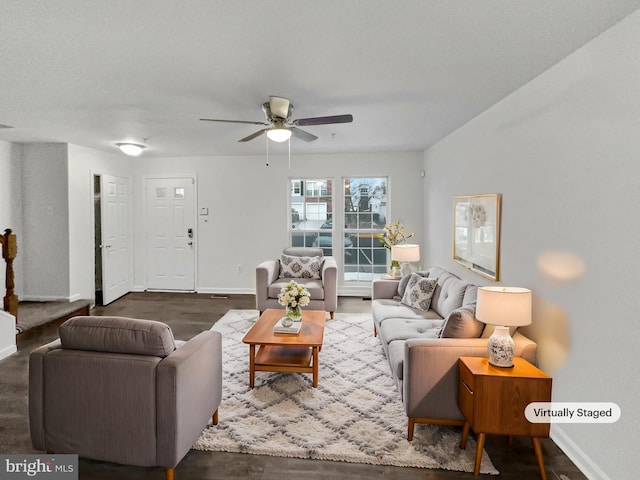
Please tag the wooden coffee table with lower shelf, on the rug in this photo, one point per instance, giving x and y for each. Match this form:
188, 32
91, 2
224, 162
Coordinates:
285, 352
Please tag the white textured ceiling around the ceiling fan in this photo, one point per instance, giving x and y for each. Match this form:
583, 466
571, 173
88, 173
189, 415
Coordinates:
94, 73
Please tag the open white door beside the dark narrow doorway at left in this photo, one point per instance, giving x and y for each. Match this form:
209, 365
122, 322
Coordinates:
117, 241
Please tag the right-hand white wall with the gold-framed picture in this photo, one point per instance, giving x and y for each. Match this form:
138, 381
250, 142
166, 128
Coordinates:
564, 151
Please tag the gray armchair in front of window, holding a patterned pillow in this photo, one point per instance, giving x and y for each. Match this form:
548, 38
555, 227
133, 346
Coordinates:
324, 290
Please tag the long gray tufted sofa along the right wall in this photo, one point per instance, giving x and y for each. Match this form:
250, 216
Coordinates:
424, 365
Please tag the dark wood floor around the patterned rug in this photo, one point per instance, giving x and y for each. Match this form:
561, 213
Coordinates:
188, 314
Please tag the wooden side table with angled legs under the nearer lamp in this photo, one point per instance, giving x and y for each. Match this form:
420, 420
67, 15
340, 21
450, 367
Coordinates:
493, 400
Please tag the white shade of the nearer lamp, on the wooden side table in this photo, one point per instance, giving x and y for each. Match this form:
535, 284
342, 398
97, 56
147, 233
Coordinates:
505, 306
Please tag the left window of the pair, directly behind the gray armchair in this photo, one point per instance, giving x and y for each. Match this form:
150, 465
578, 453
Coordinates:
312, 214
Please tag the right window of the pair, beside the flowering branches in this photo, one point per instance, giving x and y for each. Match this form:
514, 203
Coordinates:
365, 211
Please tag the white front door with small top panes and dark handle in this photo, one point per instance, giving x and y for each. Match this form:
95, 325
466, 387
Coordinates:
170, 233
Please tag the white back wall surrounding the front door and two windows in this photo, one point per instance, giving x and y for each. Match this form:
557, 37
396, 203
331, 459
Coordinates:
247, 204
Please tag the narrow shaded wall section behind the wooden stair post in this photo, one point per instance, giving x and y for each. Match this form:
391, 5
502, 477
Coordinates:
45, 214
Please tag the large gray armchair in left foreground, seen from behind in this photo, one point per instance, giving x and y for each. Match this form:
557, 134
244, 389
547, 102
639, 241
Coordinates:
122, 390
